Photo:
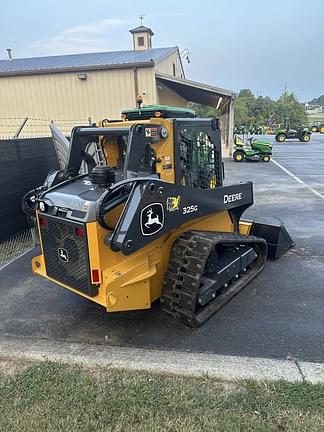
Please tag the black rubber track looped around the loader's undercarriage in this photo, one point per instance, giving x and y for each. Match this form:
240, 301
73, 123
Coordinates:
186, 267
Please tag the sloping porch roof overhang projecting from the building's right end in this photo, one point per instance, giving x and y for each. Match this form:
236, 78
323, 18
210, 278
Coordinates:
194, 91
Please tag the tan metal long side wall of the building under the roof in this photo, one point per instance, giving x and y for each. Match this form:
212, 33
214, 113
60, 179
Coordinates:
64, 97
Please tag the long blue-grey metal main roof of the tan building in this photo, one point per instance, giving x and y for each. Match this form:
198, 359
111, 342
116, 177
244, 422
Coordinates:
88, 61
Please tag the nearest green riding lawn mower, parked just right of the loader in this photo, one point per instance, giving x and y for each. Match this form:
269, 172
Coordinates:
253, 149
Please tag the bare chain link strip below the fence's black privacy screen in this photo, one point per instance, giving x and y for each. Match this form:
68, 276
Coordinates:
15, 247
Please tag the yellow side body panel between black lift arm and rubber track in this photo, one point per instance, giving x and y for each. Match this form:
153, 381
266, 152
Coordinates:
136, 281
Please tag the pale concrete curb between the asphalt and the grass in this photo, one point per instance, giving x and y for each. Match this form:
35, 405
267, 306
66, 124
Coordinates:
170, 362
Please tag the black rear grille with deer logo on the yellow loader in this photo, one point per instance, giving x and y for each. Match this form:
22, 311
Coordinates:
66, 253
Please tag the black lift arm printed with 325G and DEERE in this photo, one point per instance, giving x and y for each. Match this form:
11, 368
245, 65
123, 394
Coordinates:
156, 208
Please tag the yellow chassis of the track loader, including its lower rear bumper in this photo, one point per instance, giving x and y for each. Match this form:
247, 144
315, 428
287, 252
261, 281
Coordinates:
135, 281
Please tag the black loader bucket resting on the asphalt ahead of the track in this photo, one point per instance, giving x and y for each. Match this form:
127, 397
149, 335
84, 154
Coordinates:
276, 236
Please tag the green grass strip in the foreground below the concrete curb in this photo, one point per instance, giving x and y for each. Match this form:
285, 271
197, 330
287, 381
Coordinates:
56, 397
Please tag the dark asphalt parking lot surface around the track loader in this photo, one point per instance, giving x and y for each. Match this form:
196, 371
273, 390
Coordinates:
279, 315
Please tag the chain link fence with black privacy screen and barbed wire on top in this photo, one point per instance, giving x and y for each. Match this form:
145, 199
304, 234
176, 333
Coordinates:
26, 156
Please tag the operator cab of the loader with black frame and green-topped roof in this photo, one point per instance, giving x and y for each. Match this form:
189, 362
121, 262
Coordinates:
157, 141
